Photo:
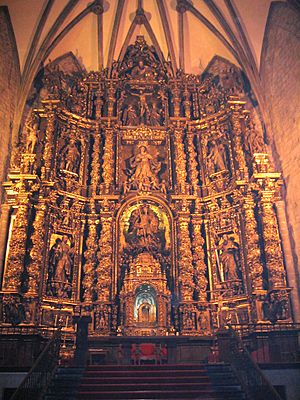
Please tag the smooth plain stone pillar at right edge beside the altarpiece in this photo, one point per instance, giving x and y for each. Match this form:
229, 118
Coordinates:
288, 257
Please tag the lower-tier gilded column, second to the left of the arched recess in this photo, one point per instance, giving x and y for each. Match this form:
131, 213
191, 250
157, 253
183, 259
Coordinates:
88, 282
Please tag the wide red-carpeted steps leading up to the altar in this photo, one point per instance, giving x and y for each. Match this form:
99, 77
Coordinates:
186, 381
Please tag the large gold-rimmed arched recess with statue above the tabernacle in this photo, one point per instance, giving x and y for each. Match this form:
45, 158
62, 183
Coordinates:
145, 224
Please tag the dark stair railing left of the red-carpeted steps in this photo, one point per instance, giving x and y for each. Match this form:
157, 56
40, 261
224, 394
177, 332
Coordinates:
38, 378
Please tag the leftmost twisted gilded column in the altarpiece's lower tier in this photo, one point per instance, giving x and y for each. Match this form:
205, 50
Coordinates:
17, 247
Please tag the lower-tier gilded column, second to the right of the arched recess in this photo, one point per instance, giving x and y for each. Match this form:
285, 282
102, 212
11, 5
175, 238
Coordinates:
198, 258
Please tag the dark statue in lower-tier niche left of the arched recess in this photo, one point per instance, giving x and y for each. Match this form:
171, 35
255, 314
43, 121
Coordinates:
60, 268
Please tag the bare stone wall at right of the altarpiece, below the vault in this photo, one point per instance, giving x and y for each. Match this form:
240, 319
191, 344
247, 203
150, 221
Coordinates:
280, 73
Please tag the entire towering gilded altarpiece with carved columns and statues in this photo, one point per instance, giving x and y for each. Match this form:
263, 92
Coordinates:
144, 201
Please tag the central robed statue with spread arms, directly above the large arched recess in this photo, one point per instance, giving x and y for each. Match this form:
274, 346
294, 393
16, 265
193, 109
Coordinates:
143, 169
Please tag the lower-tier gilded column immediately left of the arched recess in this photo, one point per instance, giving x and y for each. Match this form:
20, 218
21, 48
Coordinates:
105, 256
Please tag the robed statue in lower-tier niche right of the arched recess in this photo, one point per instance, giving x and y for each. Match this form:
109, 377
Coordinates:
229, 258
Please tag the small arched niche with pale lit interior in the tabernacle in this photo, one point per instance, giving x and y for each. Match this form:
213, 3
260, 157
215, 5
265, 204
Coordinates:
145, 307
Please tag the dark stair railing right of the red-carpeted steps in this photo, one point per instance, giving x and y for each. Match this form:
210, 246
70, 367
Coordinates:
254, 383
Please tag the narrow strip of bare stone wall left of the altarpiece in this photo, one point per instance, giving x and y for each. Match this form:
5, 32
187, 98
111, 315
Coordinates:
9, 82
